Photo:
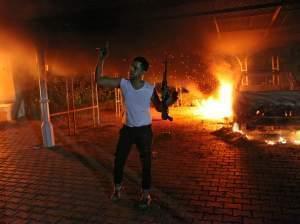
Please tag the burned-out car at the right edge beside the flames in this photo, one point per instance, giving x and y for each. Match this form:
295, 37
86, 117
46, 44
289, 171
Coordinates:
268, 104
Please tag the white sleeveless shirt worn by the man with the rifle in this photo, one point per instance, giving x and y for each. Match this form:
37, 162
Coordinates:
136, 104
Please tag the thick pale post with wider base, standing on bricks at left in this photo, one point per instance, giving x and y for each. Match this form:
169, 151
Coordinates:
47, 128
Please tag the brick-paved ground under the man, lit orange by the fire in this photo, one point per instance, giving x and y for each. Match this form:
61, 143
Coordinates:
201, 174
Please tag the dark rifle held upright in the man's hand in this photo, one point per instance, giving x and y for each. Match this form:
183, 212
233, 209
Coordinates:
165, 95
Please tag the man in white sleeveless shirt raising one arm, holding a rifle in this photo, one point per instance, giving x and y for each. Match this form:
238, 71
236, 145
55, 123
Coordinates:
137, 96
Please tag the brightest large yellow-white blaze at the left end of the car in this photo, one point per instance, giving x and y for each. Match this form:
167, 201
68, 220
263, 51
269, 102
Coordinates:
218, 106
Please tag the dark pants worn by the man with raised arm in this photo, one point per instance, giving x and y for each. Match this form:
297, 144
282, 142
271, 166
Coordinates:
142, 137
